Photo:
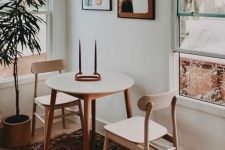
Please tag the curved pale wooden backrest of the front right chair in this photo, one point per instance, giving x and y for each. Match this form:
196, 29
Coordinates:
159, 101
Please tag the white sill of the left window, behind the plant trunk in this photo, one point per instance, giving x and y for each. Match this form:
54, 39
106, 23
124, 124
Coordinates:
23, 80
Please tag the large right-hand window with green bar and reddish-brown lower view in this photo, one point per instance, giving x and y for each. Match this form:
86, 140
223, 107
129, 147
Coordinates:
200, 36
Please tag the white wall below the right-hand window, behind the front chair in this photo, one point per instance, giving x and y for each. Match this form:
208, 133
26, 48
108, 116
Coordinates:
197, 129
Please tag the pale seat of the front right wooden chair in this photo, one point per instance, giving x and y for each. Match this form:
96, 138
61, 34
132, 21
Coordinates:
132, 129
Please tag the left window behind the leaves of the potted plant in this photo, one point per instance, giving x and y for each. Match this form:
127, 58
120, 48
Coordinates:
28, 57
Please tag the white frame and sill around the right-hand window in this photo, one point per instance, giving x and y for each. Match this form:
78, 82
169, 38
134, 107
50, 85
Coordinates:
174, 70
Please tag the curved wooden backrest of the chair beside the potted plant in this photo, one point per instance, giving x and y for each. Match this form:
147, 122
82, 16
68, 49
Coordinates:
47, 66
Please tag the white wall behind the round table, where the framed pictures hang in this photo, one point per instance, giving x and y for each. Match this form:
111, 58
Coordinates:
138, 48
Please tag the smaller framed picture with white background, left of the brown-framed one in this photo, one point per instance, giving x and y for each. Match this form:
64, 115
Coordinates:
97, 5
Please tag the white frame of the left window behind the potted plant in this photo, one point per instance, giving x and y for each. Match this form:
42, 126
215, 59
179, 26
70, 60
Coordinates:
25, 79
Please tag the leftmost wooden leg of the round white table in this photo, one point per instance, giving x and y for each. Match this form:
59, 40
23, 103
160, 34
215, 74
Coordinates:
48, 124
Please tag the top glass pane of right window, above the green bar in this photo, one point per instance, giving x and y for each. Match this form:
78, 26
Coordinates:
202, 6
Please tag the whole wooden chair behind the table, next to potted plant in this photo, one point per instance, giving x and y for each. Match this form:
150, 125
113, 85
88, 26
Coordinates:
63, 101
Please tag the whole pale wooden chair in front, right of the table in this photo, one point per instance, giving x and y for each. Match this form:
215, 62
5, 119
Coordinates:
139, 133
